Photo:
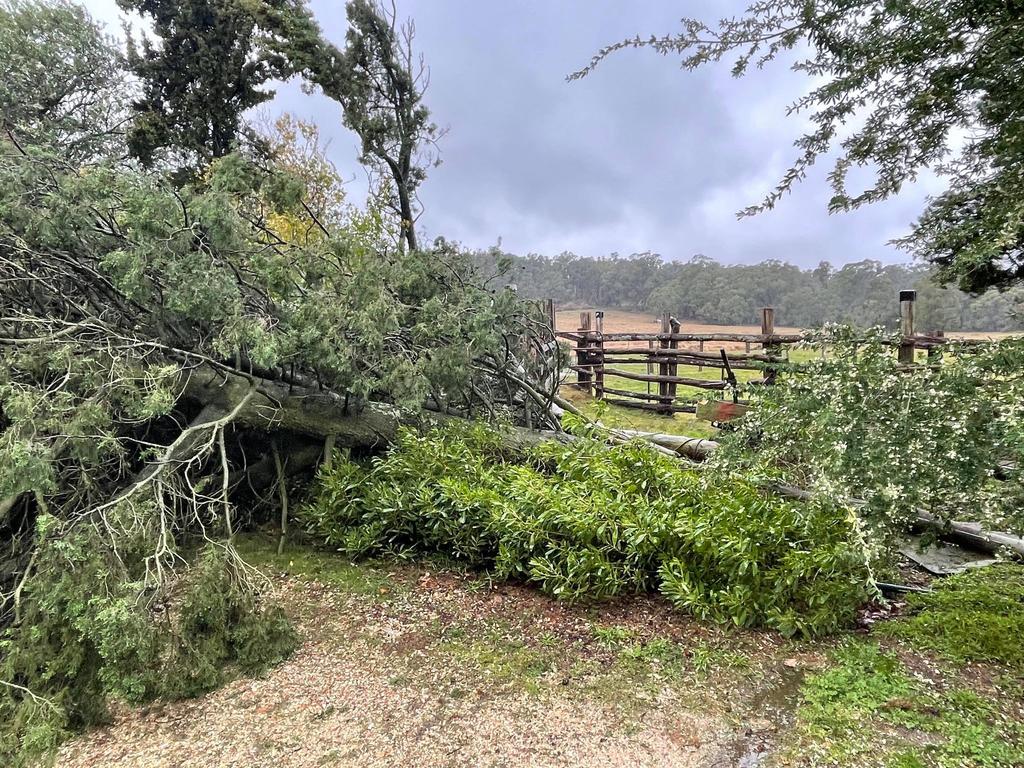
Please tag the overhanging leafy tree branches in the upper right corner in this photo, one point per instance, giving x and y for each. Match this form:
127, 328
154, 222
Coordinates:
898, 88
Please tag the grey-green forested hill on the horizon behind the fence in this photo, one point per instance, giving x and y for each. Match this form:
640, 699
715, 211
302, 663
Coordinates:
863, 294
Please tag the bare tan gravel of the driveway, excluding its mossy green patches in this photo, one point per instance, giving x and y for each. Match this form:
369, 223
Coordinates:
369, 688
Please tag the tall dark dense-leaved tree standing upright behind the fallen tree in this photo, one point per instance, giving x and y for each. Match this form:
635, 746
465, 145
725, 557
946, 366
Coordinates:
207, 64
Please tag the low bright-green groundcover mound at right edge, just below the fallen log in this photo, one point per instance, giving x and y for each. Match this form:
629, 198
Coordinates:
972, 617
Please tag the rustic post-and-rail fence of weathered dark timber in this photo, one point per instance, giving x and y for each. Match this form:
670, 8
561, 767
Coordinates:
600, 357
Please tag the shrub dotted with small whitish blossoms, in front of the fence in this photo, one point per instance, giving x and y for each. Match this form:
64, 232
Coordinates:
856, 425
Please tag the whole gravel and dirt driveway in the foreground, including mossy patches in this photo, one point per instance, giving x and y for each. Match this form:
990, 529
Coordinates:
411, 669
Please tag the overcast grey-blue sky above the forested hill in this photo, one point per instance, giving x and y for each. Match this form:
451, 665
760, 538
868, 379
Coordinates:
641, 156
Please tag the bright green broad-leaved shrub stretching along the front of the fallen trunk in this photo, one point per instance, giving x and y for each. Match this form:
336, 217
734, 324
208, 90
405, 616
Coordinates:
586, 522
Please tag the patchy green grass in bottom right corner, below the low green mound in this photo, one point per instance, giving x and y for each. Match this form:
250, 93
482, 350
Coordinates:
868, 710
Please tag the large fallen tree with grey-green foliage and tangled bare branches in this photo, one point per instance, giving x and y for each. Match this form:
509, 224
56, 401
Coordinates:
170, 353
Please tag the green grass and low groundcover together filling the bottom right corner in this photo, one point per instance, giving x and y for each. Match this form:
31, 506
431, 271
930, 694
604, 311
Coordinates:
867, 708
